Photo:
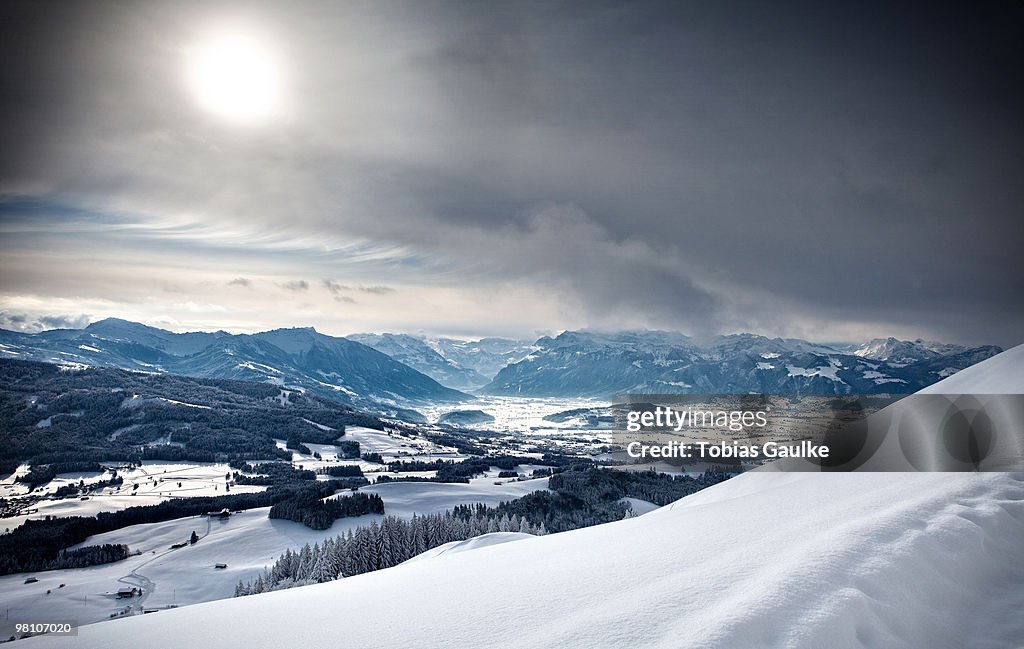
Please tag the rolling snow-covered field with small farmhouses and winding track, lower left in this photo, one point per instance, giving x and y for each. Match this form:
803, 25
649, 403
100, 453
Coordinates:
248, 542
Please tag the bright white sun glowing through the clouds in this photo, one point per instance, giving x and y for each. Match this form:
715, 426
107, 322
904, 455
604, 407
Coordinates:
235, 77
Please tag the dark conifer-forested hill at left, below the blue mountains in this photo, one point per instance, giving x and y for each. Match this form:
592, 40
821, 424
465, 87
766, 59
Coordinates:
50, 416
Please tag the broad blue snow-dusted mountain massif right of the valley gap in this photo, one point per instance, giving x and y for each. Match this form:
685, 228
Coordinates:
589, 364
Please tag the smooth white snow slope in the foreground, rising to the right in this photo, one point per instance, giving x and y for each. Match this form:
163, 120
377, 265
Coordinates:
763, 560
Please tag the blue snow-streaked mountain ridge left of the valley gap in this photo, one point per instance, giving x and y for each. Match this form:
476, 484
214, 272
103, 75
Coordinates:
333, 367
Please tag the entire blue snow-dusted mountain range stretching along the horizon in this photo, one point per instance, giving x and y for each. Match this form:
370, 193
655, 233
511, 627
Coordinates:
403, 370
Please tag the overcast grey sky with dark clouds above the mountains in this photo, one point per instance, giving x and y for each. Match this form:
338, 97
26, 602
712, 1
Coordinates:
822, 170
